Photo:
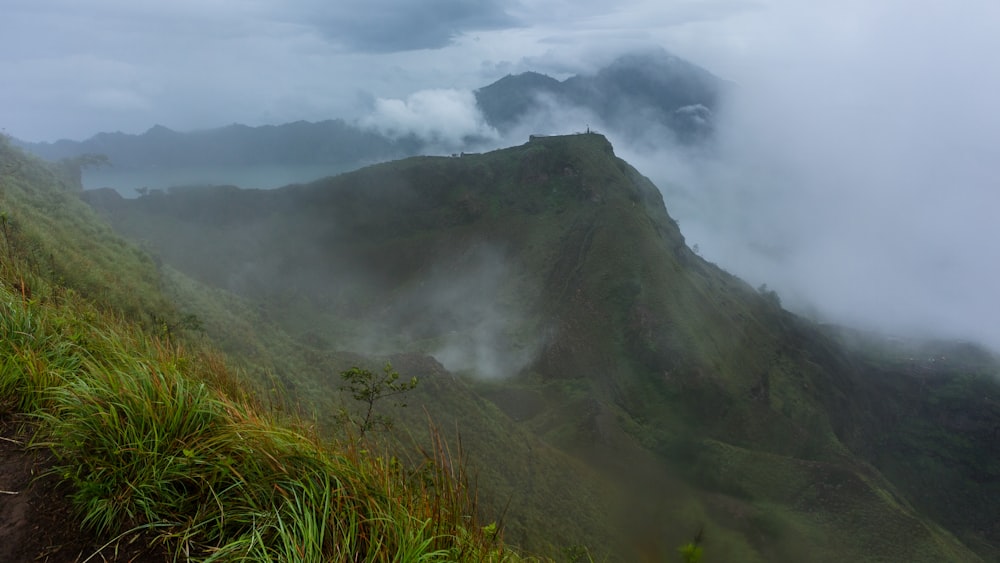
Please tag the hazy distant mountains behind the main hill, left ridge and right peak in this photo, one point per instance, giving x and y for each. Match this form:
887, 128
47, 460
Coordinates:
651, 93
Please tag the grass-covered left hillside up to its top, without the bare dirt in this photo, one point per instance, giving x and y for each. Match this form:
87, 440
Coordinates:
161, 436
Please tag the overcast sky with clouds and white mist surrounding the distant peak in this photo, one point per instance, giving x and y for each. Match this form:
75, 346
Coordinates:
859, 165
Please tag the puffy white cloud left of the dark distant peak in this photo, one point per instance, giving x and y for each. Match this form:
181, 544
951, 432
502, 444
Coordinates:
446, 118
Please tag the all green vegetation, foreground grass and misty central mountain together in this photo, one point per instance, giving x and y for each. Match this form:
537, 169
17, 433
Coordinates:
657, 396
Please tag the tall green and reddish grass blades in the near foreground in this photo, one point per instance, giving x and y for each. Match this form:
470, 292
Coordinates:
156, 438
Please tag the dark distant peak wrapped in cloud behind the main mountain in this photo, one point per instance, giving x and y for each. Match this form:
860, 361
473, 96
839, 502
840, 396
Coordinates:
637, 95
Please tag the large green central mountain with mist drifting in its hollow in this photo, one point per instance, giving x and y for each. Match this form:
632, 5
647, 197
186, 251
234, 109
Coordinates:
595, 366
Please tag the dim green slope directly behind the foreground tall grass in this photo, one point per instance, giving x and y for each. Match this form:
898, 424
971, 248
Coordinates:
525, 483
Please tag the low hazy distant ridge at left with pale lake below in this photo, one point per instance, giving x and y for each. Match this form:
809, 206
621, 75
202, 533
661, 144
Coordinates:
265, 156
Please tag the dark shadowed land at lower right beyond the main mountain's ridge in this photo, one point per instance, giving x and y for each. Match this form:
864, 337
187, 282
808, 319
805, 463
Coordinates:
933, 430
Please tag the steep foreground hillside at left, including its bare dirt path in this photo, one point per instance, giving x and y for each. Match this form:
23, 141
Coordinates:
127, 435
